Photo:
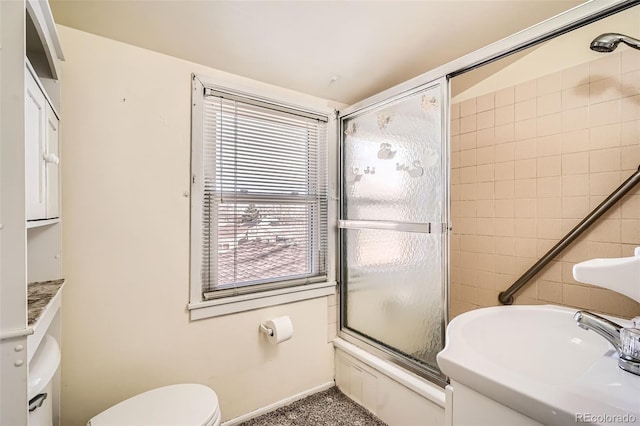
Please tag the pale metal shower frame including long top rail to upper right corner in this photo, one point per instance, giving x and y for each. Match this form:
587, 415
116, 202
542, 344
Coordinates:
574, 18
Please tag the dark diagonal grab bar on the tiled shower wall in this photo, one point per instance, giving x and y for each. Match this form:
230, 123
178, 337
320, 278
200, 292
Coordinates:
506, 297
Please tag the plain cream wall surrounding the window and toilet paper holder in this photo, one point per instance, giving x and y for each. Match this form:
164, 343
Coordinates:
125, 167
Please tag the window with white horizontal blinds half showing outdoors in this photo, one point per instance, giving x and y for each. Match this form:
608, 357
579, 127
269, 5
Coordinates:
259, 204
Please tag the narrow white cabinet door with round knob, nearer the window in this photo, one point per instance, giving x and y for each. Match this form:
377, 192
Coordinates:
52, 162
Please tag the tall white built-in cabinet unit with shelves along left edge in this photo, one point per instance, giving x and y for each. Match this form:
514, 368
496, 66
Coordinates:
29, 195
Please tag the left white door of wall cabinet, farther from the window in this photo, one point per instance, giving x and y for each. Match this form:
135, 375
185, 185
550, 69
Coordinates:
35, 119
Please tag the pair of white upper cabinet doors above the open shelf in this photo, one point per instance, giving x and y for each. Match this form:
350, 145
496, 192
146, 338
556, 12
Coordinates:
41, 153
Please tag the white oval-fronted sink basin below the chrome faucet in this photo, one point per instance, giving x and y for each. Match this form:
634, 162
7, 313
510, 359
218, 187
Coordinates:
536, 360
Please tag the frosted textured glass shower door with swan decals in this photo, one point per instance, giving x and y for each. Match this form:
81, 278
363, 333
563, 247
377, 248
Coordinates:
393, 225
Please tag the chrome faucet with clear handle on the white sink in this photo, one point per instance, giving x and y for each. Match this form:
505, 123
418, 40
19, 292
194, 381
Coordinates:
626, 340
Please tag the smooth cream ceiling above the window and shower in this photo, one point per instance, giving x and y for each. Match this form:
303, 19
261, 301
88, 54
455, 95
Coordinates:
344, 51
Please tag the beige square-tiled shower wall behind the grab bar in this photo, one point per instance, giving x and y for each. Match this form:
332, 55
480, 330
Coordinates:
528, 163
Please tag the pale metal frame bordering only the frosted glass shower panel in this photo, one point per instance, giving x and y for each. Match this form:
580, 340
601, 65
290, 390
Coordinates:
353, 336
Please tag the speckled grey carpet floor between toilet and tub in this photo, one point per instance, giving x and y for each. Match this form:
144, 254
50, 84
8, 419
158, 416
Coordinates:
326, 408
